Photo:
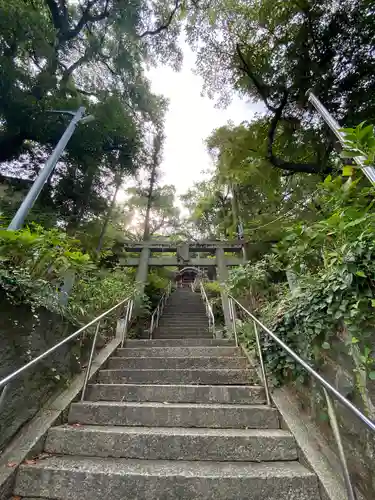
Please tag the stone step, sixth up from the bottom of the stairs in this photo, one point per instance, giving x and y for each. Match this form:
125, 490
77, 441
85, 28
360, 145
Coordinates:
149, 363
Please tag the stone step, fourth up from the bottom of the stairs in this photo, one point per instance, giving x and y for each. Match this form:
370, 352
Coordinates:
177, 393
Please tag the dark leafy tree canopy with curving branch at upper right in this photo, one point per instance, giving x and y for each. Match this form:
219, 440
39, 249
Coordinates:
274, 51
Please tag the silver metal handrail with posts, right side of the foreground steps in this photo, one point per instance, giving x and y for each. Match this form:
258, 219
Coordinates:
328, 389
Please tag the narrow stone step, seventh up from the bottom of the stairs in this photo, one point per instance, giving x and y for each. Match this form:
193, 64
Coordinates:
172, 352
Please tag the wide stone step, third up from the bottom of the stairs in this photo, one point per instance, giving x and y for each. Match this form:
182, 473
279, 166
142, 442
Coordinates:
174, 415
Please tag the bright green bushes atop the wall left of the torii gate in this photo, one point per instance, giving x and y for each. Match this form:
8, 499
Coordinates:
34, 262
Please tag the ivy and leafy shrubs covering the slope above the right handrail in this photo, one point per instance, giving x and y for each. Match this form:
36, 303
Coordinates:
318, 282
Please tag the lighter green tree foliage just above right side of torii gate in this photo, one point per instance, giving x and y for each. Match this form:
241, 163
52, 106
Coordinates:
245, 187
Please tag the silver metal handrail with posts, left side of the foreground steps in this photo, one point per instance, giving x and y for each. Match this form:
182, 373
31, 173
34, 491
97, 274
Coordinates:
5, 382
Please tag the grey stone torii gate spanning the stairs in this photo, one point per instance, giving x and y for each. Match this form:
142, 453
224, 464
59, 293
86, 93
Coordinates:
182, 258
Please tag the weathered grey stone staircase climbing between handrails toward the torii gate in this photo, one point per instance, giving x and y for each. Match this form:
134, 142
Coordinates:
171, 418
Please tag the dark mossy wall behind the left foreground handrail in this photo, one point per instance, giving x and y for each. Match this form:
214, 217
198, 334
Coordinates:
23, 336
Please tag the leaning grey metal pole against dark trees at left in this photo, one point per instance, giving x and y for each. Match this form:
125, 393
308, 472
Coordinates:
43, 176
